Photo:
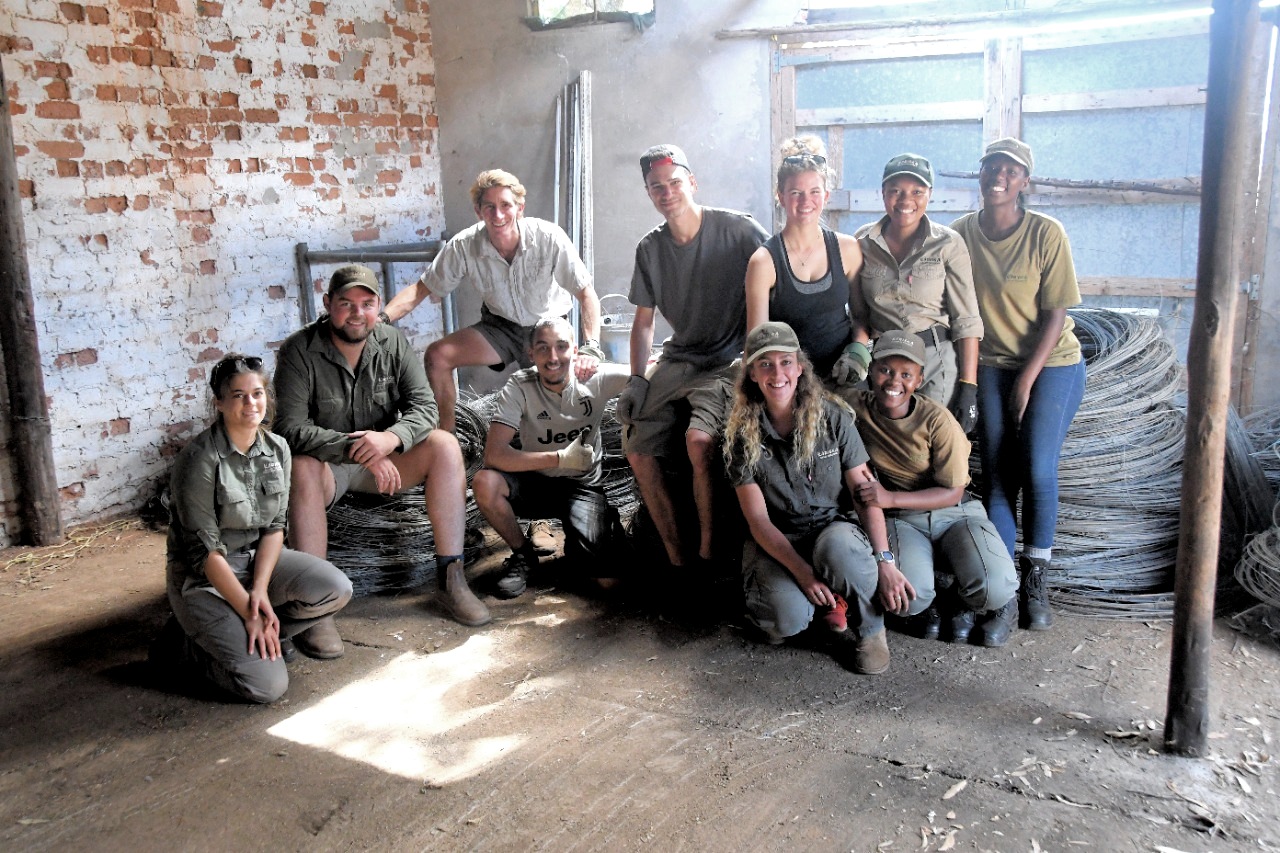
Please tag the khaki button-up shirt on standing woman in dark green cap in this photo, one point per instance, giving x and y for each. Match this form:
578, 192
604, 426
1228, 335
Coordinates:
934, 286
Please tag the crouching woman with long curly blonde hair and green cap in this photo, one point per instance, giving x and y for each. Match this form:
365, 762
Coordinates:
796, 462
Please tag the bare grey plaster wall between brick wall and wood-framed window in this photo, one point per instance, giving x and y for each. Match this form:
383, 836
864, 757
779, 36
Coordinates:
675, 83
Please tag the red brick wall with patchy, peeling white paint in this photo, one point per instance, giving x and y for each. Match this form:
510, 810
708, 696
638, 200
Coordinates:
171, 156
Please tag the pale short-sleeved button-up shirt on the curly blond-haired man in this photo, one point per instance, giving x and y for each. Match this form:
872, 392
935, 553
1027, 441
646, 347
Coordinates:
541, 281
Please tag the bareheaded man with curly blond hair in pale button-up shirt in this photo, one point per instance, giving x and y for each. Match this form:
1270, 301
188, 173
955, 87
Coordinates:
524, 270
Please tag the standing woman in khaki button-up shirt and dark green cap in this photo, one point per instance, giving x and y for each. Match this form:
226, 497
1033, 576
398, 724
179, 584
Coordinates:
917, 277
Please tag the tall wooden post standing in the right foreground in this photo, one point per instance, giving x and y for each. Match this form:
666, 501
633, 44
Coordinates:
1228, 180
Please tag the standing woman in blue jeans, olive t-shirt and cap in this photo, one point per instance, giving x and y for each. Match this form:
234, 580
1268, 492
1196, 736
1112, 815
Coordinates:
1031, 378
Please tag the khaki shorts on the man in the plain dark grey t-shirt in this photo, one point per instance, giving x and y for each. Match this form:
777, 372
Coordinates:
676, 387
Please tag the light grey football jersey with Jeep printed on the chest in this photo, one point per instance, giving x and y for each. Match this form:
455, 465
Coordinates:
547, 421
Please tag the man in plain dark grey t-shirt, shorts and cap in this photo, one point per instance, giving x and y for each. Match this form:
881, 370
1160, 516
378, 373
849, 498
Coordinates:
693, 270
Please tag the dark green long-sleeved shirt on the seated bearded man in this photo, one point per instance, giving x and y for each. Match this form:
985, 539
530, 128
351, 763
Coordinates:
319, 399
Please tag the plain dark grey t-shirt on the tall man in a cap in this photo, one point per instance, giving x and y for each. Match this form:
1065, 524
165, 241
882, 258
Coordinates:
700, 288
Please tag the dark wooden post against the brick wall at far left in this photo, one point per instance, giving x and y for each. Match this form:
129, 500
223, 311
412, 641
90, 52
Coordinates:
29, 414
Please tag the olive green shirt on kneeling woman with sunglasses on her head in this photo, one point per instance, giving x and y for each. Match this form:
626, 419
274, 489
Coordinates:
223, 501
